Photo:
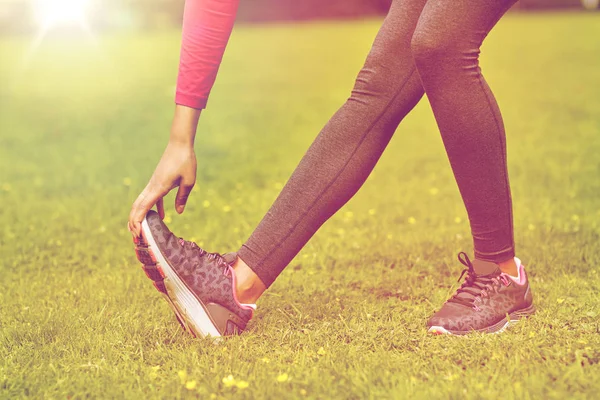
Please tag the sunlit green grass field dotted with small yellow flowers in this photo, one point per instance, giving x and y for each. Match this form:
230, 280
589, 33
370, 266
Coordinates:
84, 121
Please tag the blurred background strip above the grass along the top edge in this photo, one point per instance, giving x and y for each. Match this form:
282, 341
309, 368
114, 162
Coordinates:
22, 16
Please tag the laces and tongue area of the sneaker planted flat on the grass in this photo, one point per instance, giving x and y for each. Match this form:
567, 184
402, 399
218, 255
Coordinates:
475, 286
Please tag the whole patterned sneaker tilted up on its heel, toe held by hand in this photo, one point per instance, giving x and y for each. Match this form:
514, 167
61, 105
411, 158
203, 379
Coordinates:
198, 285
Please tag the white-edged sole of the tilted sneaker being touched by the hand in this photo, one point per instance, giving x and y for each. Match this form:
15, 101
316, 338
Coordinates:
189, 310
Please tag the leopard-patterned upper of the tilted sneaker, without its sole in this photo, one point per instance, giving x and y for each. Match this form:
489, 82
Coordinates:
208, 275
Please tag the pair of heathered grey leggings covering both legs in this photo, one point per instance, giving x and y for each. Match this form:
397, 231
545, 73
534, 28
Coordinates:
429, 46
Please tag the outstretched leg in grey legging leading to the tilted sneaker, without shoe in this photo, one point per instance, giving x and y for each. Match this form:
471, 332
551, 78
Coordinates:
344, 153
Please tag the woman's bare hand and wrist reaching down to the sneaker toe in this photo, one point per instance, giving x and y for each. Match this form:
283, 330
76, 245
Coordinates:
176, 168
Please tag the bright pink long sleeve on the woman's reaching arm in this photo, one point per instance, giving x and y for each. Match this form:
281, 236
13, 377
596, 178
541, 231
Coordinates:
207, 25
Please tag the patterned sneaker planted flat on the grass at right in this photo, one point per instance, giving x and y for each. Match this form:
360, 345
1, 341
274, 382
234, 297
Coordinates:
488, 301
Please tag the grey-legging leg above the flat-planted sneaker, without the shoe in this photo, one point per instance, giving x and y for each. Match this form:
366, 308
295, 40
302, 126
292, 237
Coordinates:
446, 46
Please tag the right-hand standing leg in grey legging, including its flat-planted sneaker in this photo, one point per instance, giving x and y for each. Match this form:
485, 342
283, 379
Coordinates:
446, 49
